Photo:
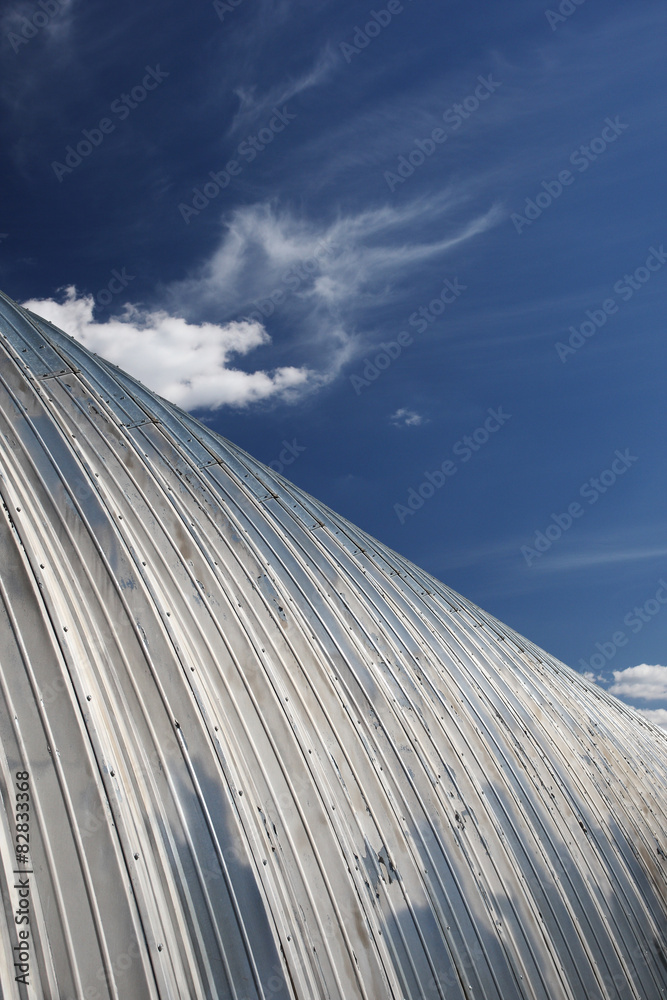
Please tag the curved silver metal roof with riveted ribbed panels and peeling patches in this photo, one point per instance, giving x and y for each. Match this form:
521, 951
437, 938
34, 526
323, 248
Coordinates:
270, 758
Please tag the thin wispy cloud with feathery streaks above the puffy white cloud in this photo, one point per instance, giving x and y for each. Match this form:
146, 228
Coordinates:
355, 261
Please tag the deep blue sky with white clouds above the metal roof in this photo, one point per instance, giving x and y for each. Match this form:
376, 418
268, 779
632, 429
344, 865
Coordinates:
248, 204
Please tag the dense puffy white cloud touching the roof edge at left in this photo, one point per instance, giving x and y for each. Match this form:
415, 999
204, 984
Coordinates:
187, 363
